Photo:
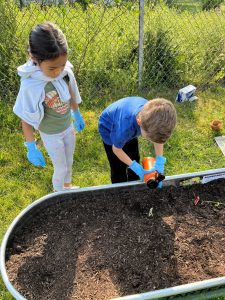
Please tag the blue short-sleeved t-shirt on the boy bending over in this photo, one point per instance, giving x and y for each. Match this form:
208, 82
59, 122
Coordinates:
117, 123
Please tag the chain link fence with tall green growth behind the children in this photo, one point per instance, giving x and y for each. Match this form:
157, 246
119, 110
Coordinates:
121, 47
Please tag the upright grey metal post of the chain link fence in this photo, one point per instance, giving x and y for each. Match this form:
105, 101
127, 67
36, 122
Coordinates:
141, 42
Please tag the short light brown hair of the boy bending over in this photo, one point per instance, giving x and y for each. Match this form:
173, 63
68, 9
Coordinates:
158, 119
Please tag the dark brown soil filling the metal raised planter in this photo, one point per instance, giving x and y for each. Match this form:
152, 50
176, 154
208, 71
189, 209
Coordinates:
107, 244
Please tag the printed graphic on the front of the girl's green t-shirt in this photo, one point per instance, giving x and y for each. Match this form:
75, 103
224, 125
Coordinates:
53, 101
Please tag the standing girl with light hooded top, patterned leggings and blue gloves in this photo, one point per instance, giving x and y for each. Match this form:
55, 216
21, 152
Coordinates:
47, 96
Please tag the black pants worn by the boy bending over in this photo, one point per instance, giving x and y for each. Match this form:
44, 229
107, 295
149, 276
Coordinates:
120, 171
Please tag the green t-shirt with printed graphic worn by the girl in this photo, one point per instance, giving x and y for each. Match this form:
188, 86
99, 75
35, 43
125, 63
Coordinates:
57, 114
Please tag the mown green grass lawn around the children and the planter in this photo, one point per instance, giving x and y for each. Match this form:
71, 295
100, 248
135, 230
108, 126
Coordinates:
191, 148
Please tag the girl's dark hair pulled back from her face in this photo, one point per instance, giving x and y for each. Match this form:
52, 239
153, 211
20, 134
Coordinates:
46, 41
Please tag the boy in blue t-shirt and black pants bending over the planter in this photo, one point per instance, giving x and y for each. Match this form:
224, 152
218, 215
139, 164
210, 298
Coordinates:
122, 122
